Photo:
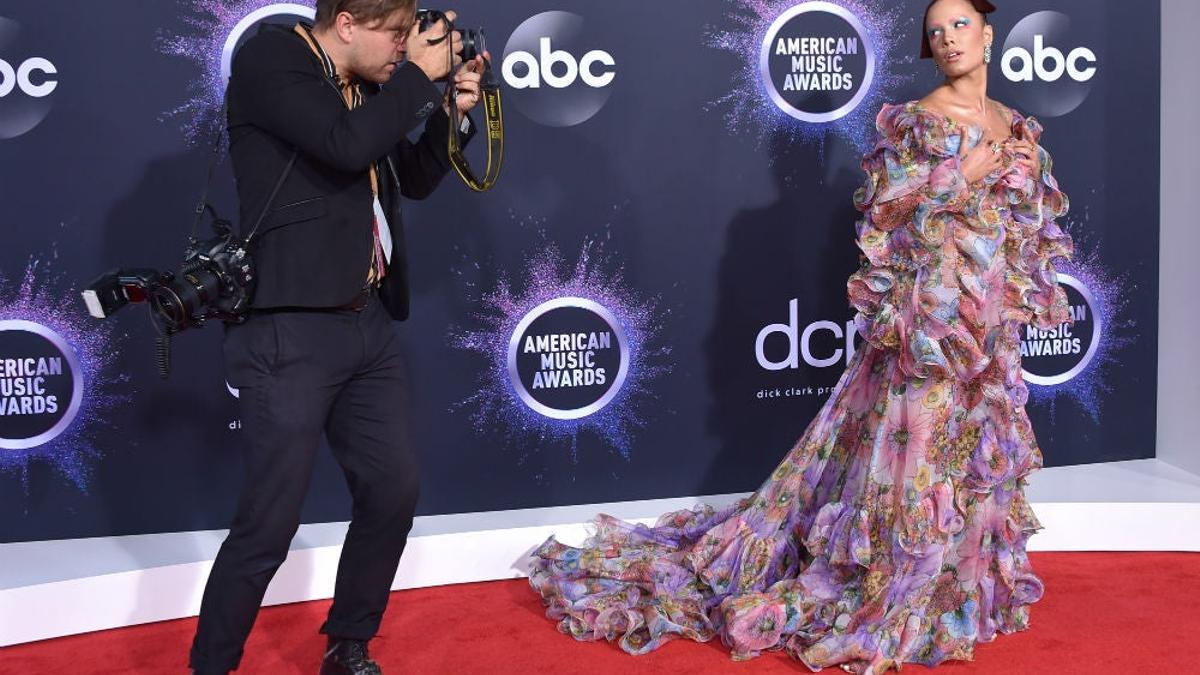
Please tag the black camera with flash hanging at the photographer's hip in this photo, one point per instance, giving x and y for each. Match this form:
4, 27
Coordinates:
214, 283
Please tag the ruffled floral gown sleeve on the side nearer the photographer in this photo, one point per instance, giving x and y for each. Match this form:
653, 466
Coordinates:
907, 295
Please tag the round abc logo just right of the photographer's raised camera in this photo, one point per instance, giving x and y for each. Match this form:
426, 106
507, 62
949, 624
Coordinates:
561, 80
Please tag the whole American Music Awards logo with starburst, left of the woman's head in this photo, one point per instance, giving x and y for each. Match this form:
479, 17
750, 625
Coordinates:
812, 68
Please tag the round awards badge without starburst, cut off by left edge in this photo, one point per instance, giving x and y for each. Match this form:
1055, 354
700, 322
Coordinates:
41, 385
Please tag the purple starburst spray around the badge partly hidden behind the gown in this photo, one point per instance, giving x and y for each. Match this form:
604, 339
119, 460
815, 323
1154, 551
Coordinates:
1111, 294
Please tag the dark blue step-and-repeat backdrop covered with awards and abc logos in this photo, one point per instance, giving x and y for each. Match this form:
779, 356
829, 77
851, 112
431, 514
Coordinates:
650, 304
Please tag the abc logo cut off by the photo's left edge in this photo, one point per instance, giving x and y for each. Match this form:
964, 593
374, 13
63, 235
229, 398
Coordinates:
27, 81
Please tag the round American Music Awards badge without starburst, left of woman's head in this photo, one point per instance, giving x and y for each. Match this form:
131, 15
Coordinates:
818, 62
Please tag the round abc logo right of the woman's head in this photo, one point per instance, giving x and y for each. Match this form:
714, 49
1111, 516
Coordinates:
1045, 58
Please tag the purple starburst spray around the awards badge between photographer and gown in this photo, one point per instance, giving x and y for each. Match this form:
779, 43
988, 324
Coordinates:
497, 407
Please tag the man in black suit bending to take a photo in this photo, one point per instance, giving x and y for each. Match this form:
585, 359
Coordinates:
319, 353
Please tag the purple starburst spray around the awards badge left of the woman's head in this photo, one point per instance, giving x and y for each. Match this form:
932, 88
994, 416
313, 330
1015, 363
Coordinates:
748, 106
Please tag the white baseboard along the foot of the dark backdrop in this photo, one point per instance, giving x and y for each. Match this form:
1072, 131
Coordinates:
133, 598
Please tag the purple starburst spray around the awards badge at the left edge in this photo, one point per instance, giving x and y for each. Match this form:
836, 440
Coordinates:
37, 301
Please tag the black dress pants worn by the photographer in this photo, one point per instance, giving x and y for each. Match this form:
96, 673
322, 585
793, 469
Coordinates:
302, 374
